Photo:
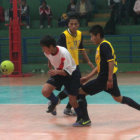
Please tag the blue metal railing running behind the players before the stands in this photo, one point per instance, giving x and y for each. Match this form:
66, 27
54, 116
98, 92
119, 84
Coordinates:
127, 48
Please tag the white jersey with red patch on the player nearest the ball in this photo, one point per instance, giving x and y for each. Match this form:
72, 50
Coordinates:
62, 60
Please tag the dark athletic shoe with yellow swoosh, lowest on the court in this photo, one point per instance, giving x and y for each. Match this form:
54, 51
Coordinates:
82, 123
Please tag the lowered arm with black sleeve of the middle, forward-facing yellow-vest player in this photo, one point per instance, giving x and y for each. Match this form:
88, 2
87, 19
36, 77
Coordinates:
84, 53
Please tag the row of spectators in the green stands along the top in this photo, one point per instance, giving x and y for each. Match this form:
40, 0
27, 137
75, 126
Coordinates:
121, 11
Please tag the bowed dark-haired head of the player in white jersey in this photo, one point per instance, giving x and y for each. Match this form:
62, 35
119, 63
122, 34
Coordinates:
48, 44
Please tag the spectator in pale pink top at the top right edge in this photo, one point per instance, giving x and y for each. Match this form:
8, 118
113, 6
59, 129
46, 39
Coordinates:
137, 11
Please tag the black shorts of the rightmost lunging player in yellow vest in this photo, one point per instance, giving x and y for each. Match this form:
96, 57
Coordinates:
99, 84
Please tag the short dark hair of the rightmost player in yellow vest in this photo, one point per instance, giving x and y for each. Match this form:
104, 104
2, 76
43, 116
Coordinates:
97, 29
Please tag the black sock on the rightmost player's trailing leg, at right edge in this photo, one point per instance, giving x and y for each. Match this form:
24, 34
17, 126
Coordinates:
130, 102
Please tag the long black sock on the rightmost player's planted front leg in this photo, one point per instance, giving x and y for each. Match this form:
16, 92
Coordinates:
83, 105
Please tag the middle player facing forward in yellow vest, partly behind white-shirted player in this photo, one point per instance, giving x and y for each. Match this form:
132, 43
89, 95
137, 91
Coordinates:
72, 39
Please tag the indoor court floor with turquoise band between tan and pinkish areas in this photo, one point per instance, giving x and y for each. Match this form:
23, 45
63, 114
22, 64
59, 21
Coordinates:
23, 113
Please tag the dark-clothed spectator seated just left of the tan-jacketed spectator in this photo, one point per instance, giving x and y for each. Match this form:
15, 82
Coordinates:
71, 8
